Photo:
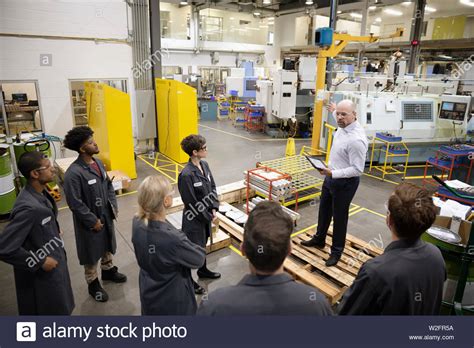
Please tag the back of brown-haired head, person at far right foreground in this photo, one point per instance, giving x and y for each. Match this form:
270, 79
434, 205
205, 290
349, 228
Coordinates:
411, 210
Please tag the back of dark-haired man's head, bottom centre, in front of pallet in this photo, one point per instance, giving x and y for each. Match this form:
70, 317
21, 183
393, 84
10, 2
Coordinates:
267, 236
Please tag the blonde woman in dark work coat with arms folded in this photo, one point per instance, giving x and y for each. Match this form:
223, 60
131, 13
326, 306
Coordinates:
165, 255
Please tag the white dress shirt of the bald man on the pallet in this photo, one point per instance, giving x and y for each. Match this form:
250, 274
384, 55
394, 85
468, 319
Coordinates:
348, 151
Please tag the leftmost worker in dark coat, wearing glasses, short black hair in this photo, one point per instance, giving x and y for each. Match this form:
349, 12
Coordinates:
32, 243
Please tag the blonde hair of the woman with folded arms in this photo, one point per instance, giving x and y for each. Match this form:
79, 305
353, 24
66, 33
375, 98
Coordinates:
151, 196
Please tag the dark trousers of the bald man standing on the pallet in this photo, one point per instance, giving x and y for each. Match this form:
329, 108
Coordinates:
336, 198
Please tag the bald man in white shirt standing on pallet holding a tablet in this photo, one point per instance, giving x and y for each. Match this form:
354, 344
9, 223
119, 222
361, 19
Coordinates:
346, 164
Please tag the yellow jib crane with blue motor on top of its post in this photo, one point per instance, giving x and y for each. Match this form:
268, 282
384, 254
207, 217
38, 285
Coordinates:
333, 45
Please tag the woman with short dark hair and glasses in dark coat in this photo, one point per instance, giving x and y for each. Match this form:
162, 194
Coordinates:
198, 192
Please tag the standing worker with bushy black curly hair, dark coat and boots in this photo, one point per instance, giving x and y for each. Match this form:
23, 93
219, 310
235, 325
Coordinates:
91, 198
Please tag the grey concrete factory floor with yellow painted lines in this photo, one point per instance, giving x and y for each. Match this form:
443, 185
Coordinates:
230, 151
